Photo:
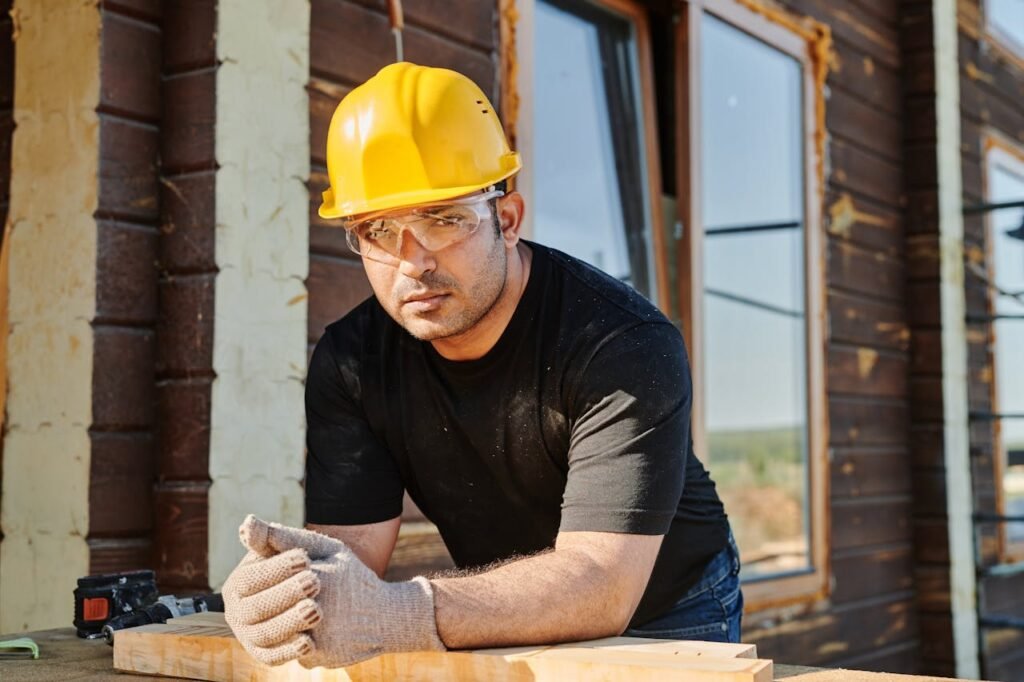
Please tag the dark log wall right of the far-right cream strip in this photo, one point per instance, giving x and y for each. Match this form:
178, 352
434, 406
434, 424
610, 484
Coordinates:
992, 102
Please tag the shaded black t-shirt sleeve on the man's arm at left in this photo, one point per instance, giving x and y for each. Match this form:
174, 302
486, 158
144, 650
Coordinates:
352, 479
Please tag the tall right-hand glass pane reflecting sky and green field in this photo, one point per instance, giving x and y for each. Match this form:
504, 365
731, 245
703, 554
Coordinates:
754, 385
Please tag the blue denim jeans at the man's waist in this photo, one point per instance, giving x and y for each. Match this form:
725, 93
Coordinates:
712, 611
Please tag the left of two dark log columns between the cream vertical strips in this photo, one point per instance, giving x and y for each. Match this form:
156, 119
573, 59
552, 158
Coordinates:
122, 435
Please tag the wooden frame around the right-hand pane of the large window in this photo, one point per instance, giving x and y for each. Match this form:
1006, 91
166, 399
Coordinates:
770, 592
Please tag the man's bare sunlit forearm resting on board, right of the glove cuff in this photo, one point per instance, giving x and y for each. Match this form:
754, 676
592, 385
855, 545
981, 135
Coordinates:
570, 594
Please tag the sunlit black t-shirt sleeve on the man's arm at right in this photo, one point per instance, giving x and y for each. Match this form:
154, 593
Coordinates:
630, 416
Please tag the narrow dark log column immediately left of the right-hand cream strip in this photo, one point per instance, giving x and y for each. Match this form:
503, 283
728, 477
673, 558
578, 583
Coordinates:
928, 459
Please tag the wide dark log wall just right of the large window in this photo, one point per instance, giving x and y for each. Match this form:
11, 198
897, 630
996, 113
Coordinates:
870, 619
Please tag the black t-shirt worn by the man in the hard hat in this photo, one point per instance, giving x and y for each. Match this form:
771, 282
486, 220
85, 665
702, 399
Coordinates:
577, 420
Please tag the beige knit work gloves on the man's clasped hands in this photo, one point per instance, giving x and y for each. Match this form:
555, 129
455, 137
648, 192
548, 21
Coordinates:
359, 616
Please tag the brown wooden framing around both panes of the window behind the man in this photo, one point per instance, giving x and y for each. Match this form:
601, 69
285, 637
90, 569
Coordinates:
516, 25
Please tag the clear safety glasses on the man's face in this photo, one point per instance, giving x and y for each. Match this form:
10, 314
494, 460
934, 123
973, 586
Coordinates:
436, 227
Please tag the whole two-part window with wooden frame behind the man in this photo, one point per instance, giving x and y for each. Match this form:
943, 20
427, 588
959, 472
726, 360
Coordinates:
747, 257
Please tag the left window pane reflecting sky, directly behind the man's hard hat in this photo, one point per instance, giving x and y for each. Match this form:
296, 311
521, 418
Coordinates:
591, 169
